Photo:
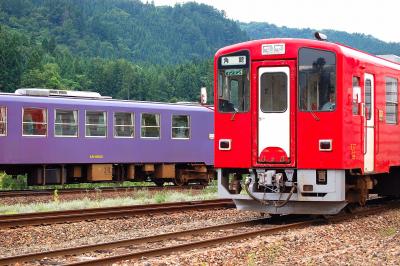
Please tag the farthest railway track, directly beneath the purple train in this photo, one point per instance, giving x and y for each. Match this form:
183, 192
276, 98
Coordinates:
49, 192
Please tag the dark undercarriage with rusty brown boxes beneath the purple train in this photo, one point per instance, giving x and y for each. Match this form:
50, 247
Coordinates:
159, 173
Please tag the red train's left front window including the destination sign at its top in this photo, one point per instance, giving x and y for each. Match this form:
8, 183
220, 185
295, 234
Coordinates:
233, 83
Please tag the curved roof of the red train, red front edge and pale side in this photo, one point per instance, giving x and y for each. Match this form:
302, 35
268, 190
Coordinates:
337, 47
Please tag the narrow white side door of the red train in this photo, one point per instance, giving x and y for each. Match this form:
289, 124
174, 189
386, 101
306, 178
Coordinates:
369, 123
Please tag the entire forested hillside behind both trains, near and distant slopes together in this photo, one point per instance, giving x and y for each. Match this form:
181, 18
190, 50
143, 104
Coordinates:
128, 49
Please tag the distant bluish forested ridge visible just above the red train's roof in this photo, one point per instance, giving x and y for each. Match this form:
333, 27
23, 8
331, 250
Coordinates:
258, 30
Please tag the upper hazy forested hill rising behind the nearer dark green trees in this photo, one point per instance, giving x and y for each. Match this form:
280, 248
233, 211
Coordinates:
126, 29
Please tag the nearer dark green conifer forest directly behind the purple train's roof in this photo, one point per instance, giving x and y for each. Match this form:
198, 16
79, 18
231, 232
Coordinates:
27, 64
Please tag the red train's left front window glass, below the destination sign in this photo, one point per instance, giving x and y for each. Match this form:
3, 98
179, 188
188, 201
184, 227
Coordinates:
233, 90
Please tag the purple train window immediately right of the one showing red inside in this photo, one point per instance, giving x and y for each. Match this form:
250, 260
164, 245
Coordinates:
66, 123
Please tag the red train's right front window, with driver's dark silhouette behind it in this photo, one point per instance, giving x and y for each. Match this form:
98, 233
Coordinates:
317, 80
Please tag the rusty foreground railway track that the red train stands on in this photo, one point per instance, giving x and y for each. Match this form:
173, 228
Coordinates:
226, 233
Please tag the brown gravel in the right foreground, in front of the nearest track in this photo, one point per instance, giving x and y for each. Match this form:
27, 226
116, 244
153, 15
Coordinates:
371, 240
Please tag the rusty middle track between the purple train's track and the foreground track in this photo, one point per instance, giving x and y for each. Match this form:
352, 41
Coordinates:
39, 218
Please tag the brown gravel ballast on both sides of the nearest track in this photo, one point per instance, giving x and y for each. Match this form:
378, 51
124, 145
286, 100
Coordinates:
370, 240
